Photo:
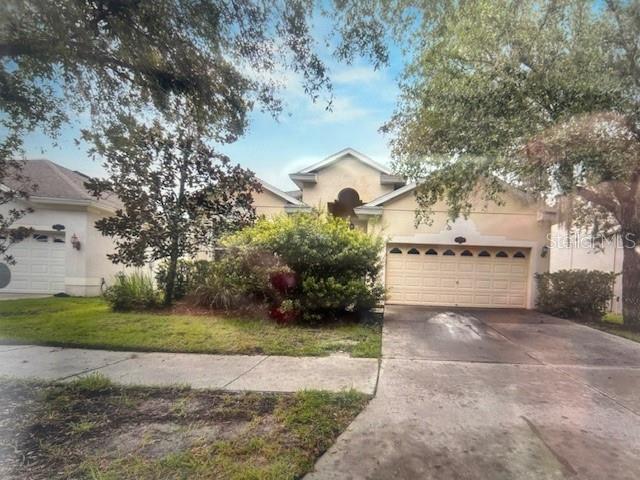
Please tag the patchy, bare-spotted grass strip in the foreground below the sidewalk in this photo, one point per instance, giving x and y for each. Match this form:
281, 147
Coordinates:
93, 429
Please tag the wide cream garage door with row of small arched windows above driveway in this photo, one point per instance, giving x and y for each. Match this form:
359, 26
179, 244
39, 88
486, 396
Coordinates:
457, 275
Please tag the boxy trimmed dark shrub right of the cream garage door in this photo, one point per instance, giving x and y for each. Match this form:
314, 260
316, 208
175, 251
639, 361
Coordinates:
579, 294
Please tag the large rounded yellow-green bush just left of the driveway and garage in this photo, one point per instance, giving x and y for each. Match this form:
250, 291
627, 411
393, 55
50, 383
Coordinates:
335, 267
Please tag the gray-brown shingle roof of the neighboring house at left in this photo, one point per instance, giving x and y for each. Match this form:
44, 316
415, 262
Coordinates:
54, 181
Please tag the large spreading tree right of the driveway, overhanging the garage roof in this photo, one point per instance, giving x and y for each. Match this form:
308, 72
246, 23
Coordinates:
542, 95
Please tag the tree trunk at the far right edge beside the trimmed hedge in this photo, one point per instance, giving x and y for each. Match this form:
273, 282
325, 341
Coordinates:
631, 281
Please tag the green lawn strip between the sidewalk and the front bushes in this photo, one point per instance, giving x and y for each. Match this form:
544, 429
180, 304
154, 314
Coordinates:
89, 323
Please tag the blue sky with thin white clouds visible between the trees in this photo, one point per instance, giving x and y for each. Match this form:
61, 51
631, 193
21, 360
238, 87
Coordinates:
305, 133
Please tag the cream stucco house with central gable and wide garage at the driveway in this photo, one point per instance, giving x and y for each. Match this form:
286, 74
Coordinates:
487, 260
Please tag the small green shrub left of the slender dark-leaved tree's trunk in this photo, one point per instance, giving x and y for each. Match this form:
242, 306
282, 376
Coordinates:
133, 291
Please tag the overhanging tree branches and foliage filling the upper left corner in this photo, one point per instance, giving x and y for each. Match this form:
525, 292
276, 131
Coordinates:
59, 58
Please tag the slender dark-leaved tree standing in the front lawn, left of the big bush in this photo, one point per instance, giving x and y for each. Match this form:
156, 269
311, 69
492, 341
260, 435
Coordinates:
178, 195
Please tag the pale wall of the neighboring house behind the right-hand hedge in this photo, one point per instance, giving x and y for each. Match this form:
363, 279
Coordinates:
578, 251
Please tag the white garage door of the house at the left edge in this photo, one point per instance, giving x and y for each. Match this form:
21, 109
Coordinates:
40, 264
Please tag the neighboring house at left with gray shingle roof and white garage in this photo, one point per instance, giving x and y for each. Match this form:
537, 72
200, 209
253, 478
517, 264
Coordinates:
65, 253
